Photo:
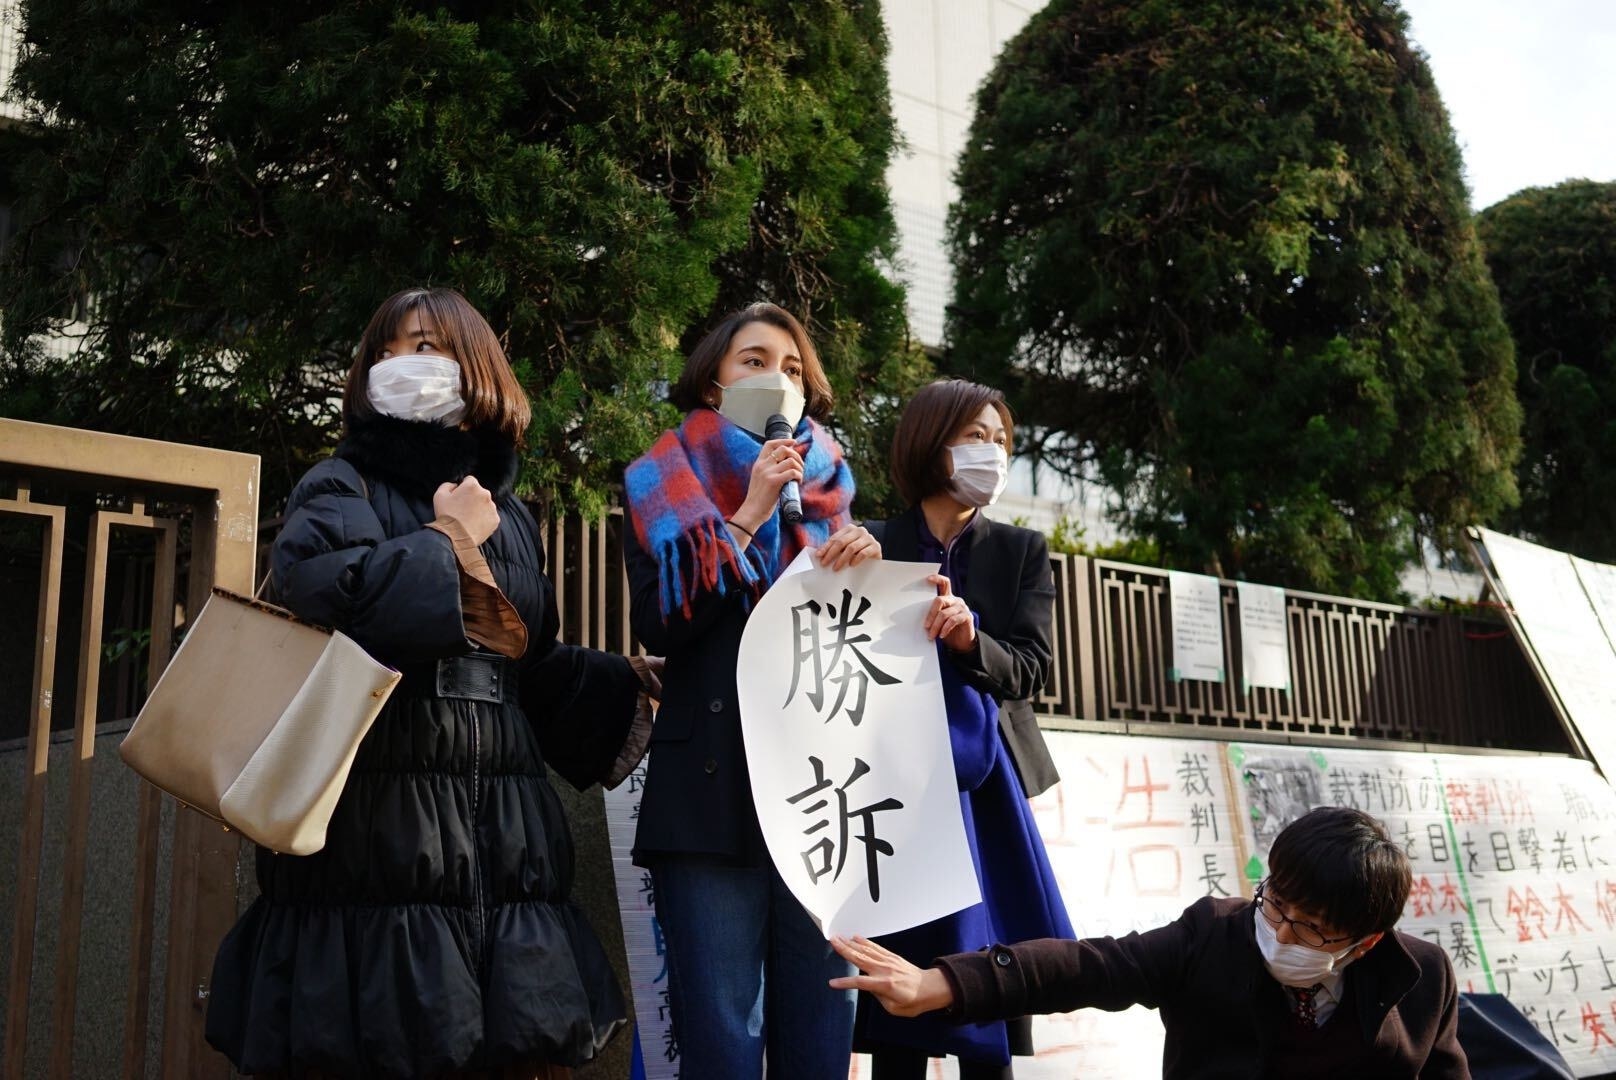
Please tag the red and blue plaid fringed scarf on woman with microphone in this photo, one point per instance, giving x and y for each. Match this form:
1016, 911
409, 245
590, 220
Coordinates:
697, 476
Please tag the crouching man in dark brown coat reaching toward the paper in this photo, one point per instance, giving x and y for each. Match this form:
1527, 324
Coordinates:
1307, 981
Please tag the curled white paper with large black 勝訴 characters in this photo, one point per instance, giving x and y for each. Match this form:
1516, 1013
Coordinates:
848, 741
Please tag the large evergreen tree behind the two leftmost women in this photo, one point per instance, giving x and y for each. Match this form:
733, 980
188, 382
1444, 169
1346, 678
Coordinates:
229, 190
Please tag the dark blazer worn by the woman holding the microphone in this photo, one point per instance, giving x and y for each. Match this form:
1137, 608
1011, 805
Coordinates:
697, 796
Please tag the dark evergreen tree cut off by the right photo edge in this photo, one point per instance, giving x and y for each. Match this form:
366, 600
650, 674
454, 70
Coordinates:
1554, 256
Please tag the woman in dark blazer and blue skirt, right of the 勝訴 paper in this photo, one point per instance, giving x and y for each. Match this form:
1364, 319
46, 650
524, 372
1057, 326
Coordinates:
993, 623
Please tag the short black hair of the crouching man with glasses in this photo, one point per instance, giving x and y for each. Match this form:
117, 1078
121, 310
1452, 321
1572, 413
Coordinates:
1344, 867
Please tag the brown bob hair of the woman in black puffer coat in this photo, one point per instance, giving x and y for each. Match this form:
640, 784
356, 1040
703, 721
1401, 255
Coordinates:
494, 397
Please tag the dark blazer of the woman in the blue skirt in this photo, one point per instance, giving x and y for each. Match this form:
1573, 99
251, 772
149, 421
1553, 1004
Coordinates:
1011, 589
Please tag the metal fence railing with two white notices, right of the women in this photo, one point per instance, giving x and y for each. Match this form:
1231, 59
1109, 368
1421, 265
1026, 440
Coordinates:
1358, 670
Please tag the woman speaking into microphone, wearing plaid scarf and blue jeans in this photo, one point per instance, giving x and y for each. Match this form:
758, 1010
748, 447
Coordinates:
704, 539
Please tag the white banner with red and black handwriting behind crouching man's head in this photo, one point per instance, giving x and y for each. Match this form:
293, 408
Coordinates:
1513, 859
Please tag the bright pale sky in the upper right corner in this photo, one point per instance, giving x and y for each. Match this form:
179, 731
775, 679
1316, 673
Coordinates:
1530, 85
